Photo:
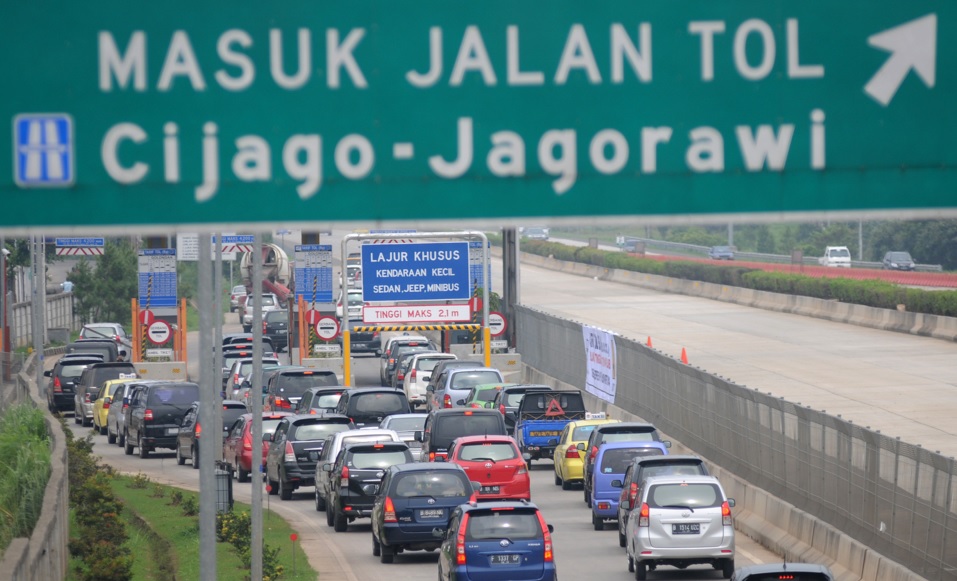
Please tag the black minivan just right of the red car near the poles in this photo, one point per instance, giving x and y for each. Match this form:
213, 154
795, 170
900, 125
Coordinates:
294, 449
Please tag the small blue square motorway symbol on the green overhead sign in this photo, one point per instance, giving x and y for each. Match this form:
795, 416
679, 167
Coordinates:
43, 150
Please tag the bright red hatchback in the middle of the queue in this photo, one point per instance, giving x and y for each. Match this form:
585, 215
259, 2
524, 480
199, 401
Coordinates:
496, 463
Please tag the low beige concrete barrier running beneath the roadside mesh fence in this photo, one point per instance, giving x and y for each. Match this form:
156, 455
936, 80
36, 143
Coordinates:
777, 525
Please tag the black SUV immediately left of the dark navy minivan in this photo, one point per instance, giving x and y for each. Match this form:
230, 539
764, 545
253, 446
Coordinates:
358, 471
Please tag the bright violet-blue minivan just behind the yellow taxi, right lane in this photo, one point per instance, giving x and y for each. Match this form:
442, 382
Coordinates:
610, 465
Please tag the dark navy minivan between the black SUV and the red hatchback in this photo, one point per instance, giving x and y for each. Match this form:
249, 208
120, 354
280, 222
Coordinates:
413, 501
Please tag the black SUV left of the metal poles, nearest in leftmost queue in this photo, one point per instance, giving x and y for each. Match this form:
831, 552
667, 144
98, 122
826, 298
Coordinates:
155, 413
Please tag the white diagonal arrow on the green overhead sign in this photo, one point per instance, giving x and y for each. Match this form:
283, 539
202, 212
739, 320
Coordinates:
913, 45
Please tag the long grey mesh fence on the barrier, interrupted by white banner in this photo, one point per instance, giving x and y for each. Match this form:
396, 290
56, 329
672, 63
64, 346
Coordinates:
894, 497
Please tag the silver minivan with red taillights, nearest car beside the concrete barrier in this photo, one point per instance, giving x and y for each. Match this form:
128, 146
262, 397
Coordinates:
682, 520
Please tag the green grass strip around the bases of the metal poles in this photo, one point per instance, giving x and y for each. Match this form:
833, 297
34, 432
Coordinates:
160, 532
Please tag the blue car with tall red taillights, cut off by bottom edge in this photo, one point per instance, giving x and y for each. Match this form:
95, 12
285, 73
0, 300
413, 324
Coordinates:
497, 540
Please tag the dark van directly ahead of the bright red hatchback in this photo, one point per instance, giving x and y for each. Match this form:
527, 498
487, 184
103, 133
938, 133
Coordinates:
442, 426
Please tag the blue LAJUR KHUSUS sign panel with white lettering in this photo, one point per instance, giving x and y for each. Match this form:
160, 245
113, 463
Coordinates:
428, 271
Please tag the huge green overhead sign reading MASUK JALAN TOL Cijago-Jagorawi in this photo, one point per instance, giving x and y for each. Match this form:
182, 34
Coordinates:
181, 112
